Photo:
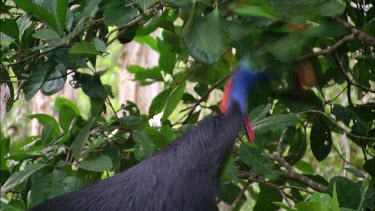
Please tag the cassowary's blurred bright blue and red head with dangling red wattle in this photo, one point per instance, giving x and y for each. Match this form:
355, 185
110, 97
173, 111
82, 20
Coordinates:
236, 91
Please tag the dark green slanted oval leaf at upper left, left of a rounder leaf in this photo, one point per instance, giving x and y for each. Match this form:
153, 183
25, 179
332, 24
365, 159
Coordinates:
37, 78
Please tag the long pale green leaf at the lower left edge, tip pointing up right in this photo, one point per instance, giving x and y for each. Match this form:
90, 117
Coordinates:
19, 177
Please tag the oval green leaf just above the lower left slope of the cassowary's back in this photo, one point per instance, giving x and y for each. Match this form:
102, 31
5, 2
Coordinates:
99, 164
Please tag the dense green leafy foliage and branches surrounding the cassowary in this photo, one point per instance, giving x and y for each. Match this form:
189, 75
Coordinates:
319, 55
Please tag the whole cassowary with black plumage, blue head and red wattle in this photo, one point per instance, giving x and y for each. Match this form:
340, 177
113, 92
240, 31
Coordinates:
182, 176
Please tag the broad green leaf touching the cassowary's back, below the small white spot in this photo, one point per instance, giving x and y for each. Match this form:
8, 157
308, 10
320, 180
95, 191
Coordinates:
144, 147
